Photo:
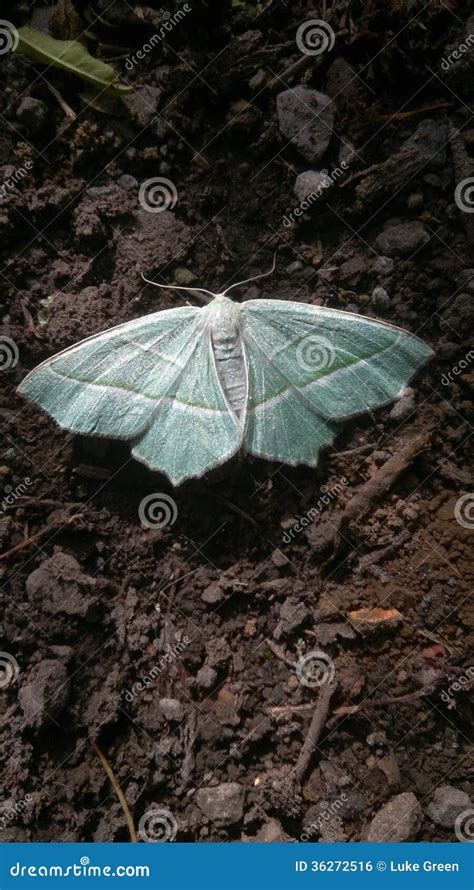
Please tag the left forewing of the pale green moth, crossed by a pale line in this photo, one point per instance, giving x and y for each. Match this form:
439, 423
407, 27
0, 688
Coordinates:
110, 384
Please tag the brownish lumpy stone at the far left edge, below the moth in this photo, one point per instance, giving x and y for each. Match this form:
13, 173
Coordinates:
45, 694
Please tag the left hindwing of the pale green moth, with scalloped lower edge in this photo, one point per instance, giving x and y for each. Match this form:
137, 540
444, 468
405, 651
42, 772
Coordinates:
194, 429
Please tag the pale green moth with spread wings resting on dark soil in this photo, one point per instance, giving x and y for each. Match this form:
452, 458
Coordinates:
191, 387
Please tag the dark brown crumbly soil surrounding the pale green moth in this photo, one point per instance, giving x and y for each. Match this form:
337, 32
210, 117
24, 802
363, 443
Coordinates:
177, 651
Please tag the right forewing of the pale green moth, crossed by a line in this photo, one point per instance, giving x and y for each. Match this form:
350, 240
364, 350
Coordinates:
342, 364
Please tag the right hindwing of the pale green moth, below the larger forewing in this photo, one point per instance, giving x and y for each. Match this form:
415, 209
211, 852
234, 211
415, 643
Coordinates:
280, 425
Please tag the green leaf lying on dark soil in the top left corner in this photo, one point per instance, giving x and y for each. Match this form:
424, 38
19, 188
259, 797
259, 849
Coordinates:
69, 55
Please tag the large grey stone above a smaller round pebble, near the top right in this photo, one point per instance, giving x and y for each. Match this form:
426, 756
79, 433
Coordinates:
306, 118
